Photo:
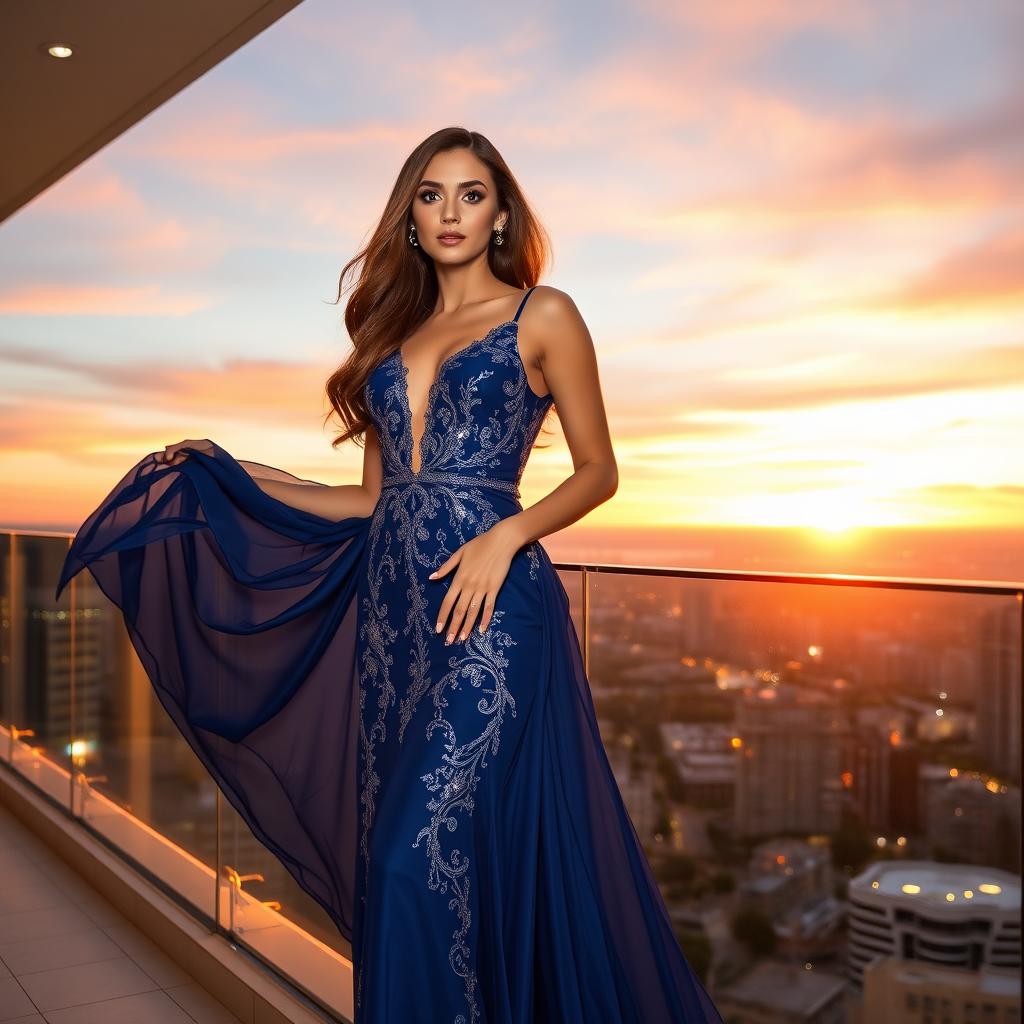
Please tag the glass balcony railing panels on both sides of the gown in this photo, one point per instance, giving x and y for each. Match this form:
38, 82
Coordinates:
825, 772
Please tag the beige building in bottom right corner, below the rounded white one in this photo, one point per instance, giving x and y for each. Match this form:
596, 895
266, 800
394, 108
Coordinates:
899, 992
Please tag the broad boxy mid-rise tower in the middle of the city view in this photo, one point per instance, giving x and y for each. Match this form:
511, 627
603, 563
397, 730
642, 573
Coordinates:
789, 762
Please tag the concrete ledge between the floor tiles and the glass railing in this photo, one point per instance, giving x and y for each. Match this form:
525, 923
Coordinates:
247, 988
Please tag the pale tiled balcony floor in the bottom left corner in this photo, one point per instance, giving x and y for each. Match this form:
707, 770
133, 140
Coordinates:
67, 957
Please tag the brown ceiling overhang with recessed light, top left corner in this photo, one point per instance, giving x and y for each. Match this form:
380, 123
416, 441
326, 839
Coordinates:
130, 57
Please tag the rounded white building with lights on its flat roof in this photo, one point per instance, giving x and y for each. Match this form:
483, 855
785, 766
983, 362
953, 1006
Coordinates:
949, 915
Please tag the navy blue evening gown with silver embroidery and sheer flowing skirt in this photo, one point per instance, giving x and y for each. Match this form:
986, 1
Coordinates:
452, 807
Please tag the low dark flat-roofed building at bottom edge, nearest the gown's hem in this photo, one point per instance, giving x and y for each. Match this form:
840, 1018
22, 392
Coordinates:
784, 994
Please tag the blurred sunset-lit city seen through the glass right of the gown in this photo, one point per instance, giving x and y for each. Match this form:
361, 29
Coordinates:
835, 825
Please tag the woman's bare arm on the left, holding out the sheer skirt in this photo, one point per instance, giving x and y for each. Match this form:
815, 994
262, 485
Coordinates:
330, 502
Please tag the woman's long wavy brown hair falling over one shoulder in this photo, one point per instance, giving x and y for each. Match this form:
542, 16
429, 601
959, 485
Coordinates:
397, 290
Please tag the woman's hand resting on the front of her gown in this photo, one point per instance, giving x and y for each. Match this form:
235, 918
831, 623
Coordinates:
484, 564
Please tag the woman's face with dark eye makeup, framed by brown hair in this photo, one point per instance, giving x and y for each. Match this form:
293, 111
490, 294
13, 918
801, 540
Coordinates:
456, 196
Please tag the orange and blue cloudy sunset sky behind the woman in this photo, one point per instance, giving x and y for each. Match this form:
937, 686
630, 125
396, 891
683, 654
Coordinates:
796, 231
